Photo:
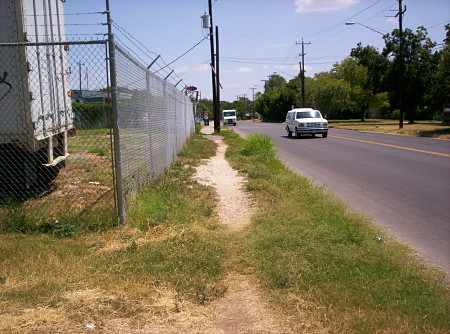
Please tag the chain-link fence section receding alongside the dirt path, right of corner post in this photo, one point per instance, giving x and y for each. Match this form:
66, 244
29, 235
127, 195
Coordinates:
155, 119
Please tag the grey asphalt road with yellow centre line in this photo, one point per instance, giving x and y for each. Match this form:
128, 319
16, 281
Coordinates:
402, 182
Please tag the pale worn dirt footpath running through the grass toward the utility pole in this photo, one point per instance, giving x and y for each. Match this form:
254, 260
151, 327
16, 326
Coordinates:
241, 309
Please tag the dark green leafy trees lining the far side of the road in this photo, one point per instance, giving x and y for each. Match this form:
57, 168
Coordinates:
369, 79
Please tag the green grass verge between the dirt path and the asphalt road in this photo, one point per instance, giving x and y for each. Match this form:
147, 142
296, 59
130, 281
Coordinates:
317, 259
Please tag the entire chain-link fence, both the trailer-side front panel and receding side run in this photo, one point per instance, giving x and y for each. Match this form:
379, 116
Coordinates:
57, 159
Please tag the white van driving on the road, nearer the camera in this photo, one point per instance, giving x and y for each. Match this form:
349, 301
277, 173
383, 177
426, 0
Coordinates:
309, 121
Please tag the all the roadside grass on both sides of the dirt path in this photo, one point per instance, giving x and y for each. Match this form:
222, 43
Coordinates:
323, 265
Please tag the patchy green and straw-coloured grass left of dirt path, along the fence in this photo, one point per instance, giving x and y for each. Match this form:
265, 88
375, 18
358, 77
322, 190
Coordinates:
170, 252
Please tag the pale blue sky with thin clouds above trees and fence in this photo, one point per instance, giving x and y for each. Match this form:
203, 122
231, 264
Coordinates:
257, 38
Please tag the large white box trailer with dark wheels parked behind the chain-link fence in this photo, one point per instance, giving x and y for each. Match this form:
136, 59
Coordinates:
35, 107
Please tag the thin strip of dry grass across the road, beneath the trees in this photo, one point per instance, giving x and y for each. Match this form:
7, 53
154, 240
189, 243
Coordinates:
419, 129
